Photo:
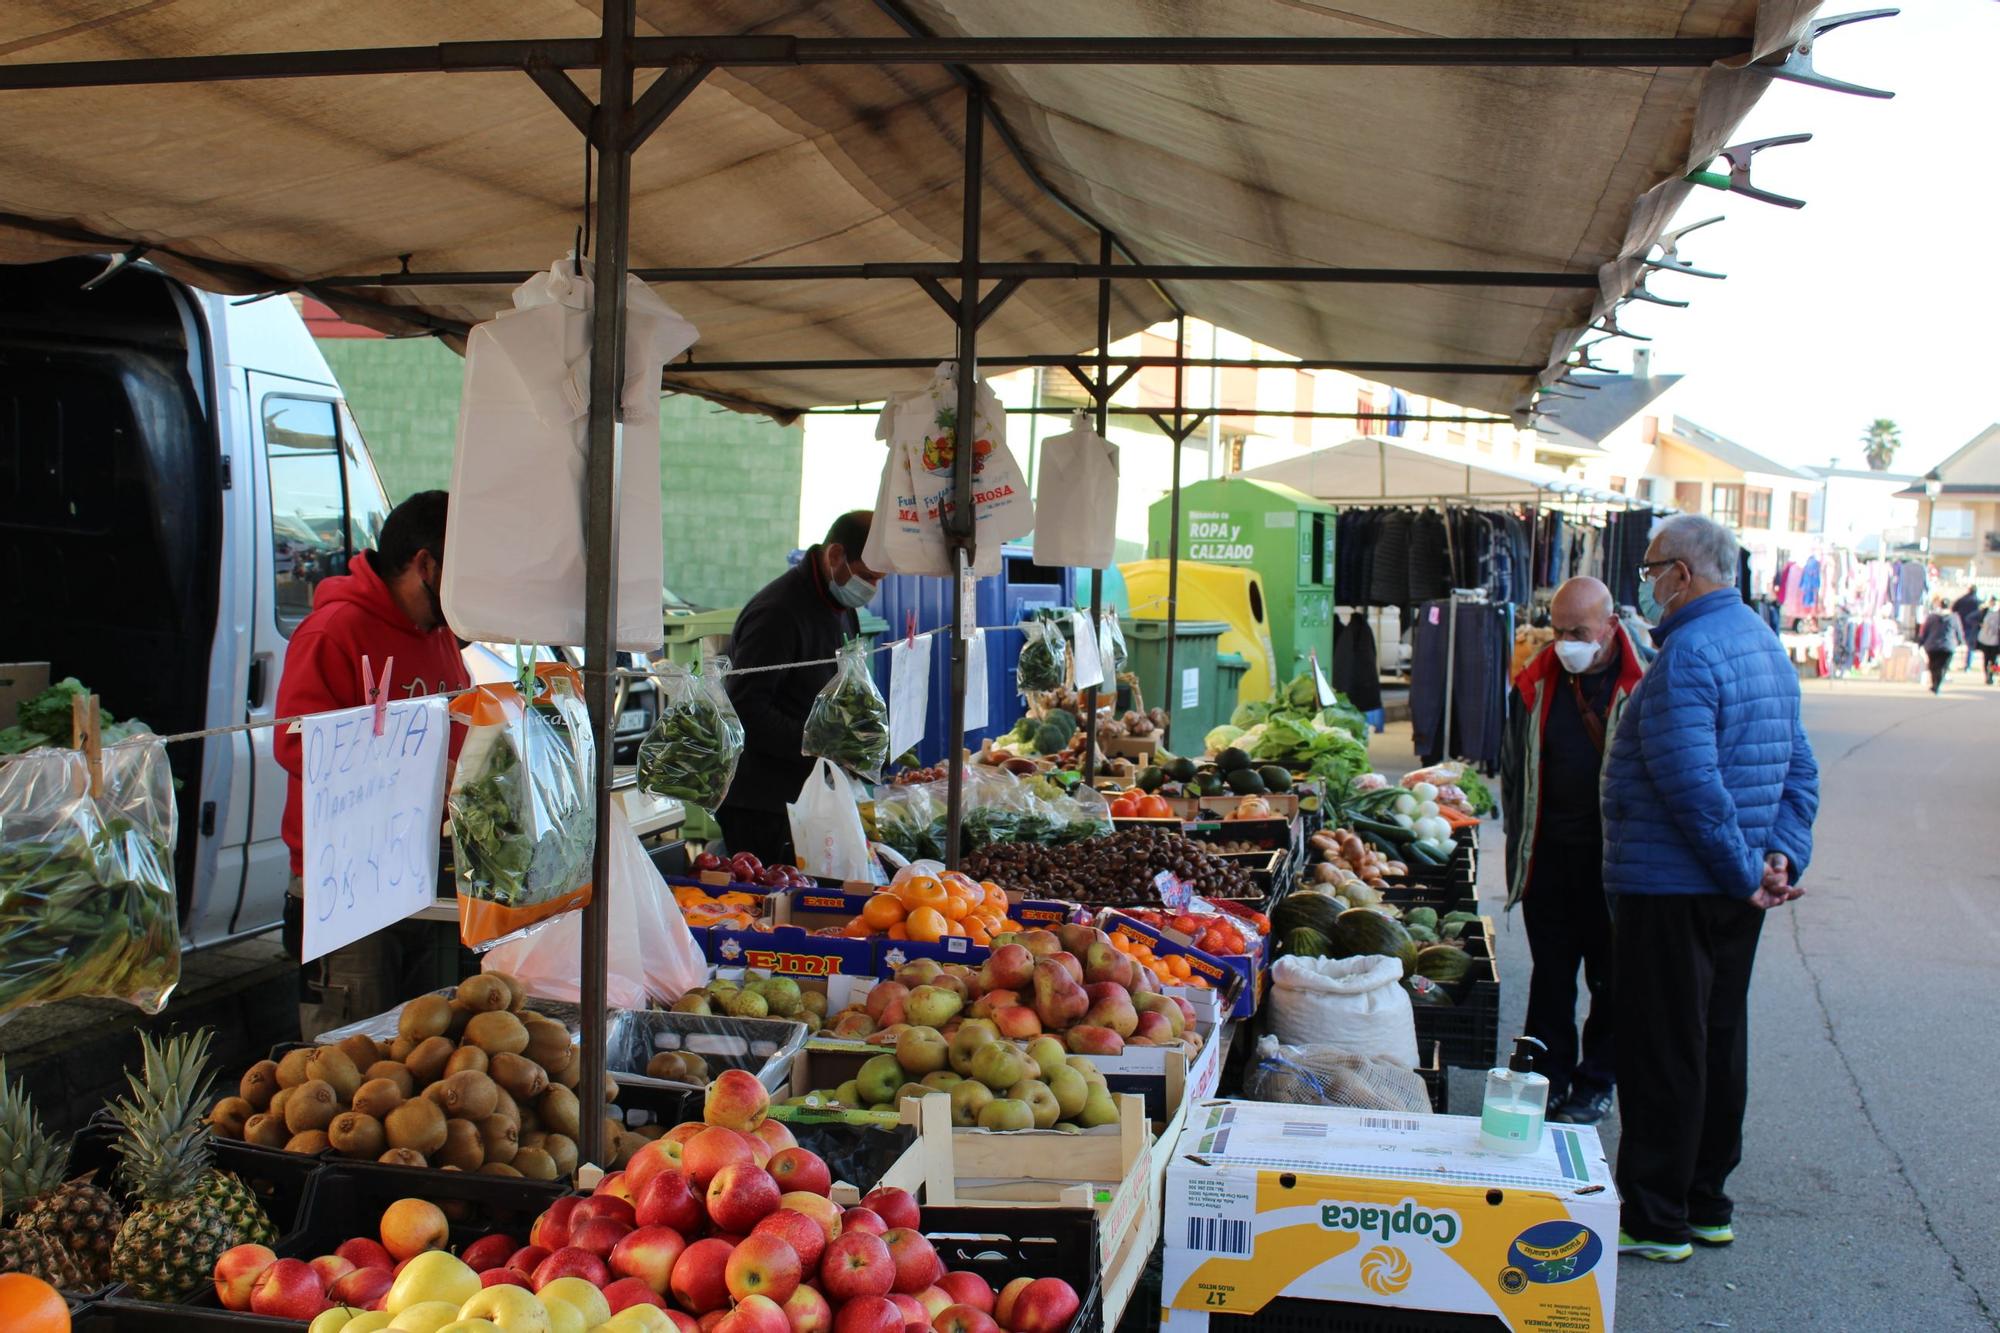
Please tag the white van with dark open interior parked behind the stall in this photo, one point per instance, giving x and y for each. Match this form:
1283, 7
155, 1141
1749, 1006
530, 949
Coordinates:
177, 475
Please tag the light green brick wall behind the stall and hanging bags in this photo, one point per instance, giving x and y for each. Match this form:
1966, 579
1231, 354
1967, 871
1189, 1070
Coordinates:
729, 483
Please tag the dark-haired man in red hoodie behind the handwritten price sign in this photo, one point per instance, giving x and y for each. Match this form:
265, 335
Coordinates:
385, 607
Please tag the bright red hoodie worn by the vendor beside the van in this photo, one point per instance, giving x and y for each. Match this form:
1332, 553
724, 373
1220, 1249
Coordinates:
355, 615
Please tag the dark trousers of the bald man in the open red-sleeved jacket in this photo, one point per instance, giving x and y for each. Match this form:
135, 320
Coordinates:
1571, 926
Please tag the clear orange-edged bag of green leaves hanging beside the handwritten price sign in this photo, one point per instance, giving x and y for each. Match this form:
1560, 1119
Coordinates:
523, 806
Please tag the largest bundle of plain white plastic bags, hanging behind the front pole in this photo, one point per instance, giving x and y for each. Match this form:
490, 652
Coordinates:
517, 569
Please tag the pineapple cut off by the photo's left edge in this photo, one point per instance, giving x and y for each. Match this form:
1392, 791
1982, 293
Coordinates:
75, 1216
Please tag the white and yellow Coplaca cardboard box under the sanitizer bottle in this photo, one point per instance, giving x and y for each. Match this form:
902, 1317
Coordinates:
1375, 1208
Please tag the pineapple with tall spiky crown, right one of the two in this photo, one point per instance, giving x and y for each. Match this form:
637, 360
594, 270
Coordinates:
189, 1212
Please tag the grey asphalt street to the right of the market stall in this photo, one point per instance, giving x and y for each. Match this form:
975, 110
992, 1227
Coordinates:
1871, 1184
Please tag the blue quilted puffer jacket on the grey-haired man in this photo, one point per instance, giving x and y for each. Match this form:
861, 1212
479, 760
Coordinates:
1709, 768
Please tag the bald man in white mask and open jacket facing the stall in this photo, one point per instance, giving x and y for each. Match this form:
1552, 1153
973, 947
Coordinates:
1569, 702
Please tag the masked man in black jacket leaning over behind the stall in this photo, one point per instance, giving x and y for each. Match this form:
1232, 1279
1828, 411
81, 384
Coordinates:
803, 615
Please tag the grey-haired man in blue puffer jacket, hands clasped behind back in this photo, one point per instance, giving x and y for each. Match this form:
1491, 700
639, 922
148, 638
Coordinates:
1709, 800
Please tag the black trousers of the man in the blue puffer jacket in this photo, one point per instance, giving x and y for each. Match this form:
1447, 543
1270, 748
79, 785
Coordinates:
1685, 1052
